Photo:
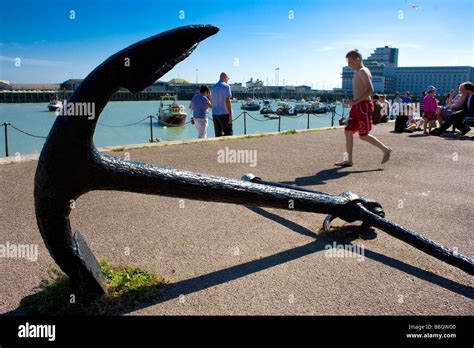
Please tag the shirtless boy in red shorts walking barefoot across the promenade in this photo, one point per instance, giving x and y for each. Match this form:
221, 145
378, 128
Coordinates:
362, 108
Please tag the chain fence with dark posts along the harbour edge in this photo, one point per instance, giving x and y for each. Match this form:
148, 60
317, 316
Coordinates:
151, 118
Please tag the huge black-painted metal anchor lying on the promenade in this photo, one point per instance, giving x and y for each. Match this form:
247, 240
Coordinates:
70, 165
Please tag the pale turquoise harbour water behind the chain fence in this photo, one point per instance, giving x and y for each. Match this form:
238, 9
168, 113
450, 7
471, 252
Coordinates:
35, 118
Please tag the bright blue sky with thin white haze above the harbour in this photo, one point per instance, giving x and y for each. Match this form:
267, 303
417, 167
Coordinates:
306, 39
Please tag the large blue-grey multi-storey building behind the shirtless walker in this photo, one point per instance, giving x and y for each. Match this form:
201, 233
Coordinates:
388, 77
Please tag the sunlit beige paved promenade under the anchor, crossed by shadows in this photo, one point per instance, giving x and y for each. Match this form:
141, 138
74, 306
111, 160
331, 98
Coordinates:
230, 259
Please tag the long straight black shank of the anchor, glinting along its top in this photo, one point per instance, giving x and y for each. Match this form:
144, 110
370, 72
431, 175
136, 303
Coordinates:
116, 174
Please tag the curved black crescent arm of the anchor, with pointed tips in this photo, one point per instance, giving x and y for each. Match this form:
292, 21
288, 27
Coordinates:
66, 165
